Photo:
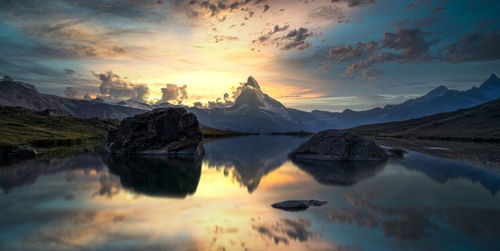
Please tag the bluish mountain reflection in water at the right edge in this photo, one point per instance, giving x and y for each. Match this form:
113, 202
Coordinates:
443, 170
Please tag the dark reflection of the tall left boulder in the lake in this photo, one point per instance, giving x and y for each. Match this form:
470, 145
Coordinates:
156, 175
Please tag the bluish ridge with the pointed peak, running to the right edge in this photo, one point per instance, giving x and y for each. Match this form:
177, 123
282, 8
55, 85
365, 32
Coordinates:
255, 111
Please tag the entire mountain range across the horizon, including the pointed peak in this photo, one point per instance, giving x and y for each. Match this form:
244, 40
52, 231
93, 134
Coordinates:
255, 111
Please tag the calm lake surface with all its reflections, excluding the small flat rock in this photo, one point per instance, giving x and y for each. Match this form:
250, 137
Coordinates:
223, 202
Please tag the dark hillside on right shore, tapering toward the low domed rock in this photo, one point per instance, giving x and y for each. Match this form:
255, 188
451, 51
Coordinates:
480, 123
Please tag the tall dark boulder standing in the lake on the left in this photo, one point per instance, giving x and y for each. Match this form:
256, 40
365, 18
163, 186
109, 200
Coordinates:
168, 131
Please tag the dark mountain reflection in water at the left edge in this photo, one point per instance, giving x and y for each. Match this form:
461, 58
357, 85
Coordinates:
26, 172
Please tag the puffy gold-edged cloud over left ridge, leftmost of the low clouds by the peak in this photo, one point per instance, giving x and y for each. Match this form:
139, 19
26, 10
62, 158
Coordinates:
116, 87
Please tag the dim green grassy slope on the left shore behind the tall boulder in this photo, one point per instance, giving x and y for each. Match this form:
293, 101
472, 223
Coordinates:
48, 133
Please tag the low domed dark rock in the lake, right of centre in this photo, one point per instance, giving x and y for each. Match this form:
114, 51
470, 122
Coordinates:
339, 145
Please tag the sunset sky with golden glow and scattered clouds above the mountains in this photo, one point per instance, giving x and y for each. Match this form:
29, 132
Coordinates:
309, 54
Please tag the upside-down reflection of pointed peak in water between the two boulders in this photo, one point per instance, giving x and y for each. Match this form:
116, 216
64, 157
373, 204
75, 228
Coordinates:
251, 156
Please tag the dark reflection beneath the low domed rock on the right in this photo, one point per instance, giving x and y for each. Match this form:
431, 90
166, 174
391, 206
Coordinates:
344, 173
